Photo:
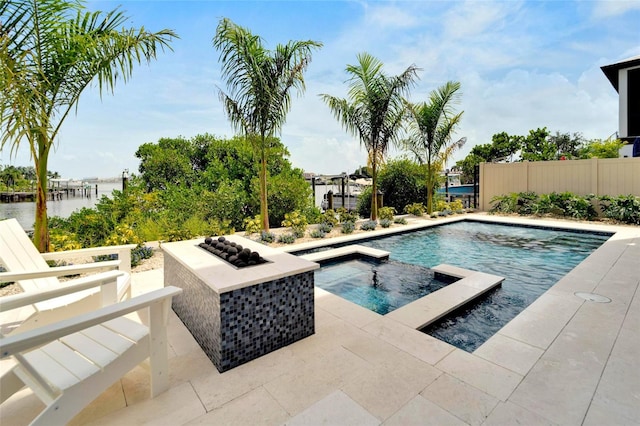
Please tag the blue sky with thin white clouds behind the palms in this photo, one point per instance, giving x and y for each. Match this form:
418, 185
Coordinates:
521, 65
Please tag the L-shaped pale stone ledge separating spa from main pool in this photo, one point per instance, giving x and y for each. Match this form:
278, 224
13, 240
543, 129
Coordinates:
432, 307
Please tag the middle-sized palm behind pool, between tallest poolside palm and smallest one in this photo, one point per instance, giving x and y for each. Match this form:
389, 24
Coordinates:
374, 111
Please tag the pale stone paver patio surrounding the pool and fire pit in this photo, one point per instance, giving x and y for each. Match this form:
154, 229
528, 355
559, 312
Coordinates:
563, 360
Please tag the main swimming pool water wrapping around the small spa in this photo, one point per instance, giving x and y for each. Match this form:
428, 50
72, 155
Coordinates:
531, 260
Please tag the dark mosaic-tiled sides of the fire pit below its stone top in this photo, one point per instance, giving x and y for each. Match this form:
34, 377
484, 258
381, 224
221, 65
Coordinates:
244, 324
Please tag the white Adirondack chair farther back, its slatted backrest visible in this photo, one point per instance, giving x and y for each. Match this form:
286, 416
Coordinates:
29, 268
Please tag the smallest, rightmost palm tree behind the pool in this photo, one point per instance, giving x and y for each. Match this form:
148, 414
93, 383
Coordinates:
431, 126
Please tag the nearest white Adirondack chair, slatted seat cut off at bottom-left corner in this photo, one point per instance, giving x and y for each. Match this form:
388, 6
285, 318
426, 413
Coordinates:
78, 358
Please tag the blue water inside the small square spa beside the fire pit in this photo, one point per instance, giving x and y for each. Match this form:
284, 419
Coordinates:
379, 286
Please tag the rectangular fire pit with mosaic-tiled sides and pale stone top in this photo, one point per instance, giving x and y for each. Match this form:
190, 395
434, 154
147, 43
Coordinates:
239, 314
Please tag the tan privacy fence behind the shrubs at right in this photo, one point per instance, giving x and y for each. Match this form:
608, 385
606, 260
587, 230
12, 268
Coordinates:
608, 176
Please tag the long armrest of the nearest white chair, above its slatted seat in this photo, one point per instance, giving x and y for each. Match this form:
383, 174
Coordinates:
15, 344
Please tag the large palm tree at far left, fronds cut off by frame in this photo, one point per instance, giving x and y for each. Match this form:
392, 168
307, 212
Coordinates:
50, 51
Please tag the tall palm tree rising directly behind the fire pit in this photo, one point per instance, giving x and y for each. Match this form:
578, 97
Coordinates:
259, 82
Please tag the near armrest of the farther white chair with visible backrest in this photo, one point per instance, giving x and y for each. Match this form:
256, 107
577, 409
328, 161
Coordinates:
8, 303
